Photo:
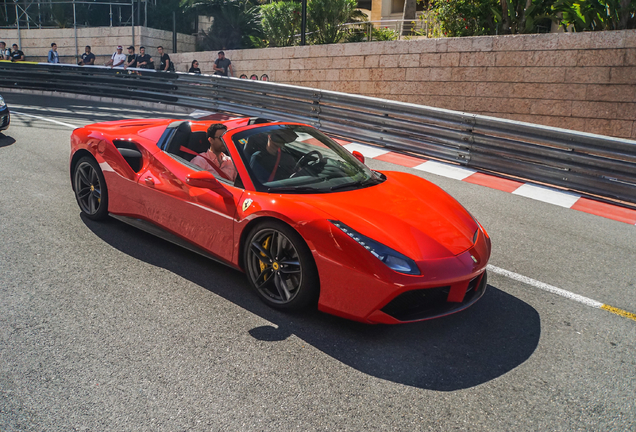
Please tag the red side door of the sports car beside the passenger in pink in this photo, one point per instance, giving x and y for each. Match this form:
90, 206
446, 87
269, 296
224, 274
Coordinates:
199, 215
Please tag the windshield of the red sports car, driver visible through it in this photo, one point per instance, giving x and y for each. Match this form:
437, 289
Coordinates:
299, 159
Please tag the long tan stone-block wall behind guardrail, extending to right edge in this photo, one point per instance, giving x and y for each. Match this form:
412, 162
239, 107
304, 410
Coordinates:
582, 81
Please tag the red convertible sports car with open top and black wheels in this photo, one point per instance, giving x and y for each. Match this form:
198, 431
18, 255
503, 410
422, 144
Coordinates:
307, 221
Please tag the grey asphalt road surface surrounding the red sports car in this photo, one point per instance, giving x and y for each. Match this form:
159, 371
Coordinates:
106, 328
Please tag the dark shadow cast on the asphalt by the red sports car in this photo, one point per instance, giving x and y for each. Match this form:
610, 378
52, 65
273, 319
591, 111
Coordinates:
460, 351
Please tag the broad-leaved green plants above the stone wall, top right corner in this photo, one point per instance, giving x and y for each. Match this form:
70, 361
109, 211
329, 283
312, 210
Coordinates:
583, 15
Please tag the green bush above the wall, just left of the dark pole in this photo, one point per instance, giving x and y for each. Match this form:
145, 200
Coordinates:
281, 22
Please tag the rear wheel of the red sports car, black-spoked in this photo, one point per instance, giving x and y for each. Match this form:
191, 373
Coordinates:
90, 188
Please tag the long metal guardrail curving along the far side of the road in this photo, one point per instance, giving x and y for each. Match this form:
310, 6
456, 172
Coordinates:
592, 164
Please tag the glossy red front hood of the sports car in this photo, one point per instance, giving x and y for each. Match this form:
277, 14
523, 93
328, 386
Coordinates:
406, 213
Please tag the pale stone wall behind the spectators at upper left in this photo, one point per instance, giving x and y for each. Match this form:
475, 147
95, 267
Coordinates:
36, 43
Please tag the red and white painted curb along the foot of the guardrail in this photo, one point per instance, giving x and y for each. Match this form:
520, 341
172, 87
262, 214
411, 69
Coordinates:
529, 190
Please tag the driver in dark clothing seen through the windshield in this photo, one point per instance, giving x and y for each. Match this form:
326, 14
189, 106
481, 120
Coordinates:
272, 163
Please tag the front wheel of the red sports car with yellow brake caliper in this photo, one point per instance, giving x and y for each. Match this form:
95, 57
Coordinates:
280, 267
